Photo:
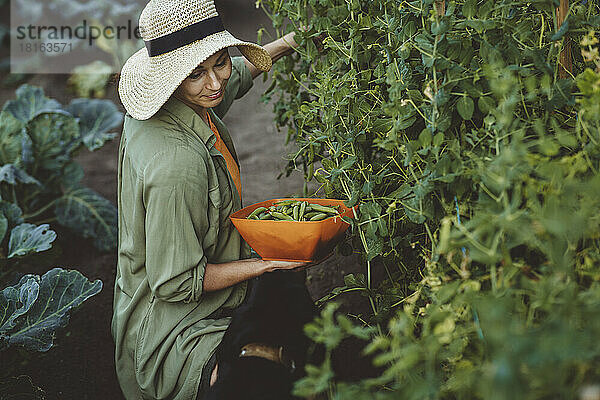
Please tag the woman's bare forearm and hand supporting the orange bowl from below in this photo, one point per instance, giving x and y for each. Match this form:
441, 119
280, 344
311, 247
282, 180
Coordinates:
220, 276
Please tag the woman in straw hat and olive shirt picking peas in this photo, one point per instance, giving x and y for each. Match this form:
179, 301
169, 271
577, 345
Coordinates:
182, 266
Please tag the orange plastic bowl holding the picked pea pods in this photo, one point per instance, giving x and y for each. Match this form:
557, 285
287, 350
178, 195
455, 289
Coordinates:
292, 240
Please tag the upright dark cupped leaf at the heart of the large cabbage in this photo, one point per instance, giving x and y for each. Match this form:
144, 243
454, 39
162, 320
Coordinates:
54, 136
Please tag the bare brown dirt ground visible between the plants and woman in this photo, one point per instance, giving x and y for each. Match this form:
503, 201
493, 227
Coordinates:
80, 365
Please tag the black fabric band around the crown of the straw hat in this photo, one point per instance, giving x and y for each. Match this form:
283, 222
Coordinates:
184, 36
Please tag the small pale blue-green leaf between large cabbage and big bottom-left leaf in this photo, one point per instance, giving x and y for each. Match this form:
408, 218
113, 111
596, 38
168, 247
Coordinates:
28, 238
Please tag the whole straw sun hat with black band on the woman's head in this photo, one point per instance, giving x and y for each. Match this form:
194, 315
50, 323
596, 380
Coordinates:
179, 35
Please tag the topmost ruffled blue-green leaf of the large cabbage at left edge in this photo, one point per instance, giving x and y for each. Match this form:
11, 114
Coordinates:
30, 102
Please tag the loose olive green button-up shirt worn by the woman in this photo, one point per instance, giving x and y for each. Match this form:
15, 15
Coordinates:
174, 200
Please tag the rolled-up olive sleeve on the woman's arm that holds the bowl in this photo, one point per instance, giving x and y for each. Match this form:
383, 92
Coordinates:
176, 202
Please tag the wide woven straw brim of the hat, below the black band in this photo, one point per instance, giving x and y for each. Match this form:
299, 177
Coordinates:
146, 83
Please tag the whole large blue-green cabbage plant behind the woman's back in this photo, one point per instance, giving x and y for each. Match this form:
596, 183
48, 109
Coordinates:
38, 143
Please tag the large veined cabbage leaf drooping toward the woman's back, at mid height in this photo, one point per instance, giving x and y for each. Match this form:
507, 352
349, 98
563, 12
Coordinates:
89, 214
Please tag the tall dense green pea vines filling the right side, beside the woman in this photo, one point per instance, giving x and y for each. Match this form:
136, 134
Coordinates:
467, 132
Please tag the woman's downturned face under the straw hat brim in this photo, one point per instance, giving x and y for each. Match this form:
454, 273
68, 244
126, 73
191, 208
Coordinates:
209, 78
